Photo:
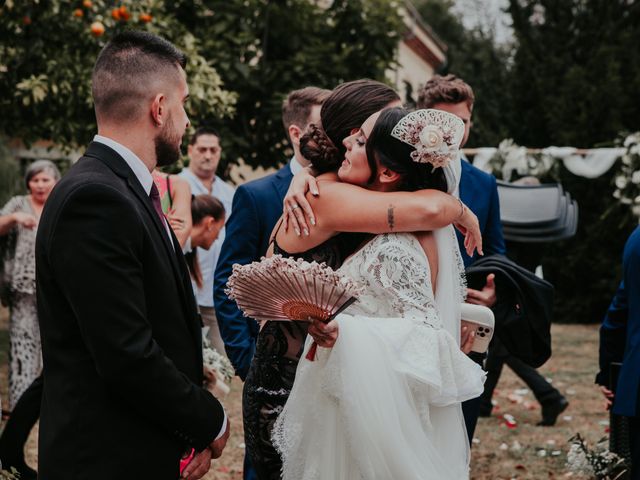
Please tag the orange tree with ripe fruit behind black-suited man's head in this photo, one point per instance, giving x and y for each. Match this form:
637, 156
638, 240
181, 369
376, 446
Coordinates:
47, 52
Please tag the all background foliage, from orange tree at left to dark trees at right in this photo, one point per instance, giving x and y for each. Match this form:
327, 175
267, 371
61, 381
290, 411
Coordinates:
569, 75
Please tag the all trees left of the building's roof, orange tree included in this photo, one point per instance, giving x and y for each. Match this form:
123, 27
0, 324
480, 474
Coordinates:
250, 51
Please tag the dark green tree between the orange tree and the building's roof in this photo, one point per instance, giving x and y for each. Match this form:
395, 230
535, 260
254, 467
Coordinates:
263, 50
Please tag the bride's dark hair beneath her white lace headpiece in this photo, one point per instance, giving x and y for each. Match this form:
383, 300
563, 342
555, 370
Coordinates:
394, 154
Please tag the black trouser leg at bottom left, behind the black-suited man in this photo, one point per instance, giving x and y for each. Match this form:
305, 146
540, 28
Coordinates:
23, 417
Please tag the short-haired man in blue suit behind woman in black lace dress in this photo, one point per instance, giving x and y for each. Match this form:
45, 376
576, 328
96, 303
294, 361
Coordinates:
257, 206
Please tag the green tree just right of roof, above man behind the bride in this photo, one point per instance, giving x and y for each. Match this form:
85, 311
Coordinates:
474, 56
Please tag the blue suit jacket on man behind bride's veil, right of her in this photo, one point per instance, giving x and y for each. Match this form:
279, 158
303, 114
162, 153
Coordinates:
479, 192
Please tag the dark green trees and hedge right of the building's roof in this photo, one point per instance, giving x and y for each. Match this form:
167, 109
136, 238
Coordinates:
569, 76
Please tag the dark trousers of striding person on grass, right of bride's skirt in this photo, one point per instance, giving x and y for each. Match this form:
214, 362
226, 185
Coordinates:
544, 392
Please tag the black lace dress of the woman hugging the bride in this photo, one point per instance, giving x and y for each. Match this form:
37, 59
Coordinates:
274, 364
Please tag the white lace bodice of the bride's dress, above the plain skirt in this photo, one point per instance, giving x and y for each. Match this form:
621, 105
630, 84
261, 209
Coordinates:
395, 272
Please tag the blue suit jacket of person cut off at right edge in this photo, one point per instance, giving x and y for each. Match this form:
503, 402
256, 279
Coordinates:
620, 333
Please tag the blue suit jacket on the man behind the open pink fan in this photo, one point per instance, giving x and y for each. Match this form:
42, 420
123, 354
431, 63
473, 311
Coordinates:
257, 206
